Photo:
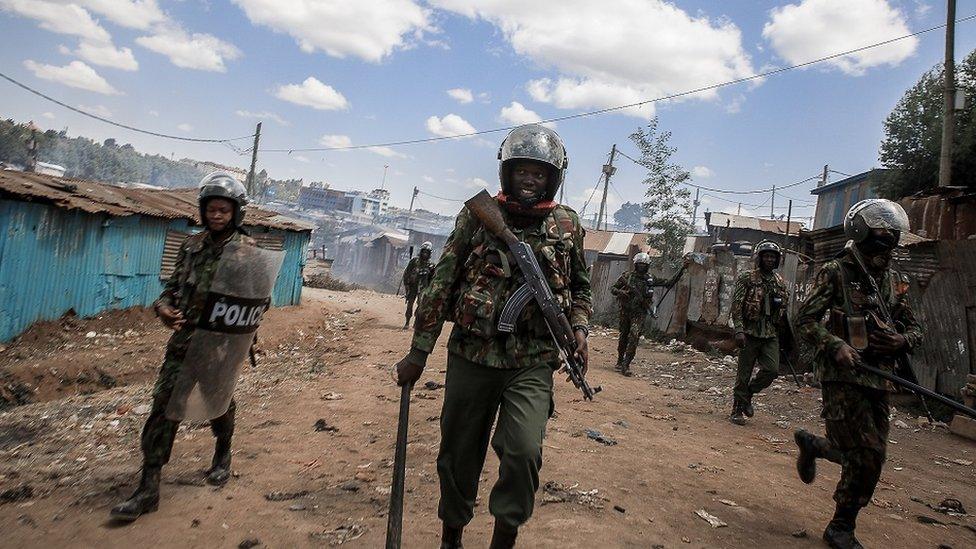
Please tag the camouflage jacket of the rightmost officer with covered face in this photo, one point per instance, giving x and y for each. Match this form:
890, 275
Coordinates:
842, 290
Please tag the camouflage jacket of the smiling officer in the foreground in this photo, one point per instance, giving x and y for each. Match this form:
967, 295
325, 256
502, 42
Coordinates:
475, 277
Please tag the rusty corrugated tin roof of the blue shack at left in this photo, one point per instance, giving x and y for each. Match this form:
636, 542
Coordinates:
94, 197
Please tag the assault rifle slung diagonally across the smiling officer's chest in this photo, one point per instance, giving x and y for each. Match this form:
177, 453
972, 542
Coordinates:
485, 208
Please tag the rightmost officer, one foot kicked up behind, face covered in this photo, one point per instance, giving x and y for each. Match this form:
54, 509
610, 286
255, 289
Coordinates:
855, 402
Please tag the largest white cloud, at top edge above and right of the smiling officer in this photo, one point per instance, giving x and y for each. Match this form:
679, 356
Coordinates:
638, 50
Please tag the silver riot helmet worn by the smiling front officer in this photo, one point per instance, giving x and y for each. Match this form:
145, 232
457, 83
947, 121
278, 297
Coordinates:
533, 142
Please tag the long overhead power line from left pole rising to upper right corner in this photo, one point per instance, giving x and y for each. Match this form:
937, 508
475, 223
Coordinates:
693, 91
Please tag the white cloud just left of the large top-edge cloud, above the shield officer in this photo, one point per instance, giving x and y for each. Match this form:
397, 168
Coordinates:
197, 51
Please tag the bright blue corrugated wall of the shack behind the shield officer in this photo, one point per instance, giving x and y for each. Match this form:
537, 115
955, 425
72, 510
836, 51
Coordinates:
53, 260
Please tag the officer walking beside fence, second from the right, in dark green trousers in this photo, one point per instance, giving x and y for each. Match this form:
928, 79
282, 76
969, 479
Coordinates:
758, 310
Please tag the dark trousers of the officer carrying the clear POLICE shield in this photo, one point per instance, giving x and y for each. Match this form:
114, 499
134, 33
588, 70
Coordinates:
159, 432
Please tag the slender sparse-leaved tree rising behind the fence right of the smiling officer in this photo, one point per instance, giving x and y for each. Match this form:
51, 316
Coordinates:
668, 206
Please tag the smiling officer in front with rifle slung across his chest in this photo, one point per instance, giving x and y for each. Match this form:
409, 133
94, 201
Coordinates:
491, 373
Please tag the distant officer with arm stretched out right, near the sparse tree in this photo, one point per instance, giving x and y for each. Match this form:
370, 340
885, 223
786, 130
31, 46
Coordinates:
635, 293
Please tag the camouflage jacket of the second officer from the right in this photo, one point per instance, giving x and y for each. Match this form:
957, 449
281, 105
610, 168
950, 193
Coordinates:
754, 310
